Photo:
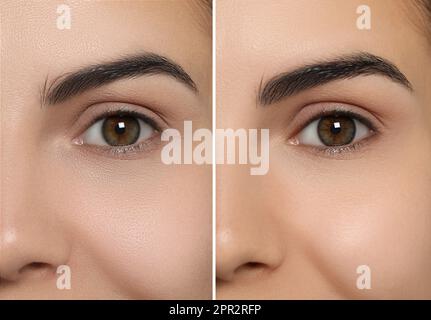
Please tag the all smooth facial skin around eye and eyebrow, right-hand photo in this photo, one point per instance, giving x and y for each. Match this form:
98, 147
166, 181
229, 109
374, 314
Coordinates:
302, 230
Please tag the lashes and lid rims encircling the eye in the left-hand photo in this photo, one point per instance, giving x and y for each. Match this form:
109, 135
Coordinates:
123, 151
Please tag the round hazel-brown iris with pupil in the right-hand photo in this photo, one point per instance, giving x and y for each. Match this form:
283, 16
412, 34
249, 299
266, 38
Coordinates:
336, 130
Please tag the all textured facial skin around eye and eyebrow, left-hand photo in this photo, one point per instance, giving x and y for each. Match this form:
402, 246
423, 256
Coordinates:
132, 228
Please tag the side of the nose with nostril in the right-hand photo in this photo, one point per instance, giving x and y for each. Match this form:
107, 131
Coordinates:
248, 236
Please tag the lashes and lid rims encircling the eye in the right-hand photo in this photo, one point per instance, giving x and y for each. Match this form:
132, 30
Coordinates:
334, 151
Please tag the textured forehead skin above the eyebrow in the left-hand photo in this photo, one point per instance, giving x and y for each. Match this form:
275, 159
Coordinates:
101, 31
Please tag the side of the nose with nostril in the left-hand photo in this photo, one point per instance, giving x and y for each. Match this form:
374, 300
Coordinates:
32, 243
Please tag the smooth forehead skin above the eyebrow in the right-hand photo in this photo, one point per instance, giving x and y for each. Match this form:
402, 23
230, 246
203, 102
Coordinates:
262, 38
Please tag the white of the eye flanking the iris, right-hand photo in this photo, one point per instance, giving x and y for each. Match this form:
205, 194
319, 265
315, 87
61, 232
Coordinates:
310, 136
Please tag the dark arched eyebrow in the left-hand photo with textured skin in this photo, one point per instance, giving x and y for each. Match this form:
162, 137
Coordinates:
98, 75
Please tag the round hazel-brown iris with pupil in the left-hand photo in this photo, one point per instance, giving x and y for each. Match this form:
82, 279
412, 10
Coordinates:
121, 130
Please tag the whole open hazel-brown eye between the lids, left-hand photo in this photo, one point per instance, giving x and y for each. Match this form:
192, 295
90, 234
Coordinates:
119, 130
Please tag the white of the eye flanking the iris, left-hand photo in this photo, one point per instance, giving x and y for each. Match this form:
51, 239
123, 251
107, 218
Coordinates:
94, 135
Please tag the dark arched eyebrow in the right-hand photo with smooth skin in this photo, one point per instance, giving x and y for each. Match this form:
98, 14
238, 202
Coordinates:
313, 75
